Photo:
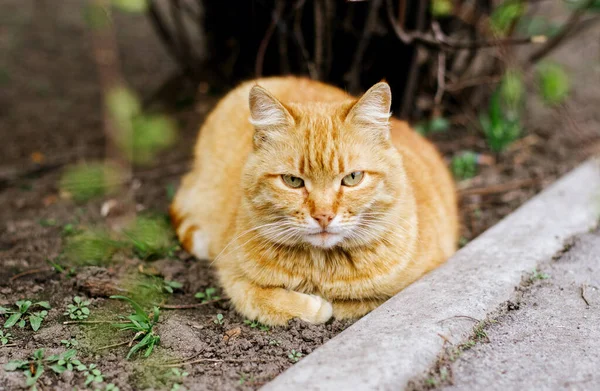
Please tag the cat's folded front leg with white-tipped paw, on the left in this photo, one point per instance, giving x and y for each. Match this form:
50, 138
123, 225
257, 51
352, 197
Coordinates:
272, 305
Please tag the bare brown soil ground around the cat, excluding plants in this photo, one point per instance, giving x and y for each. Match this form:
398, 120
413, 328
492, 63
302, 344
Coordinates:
51, 116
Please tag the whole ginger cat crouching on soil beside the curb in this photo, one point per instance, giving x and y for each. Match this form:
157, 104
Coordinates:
312, 203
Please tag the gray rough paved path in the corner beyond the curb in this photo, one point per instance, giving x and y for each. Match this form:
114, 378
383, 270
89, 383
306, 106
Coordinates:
552, 342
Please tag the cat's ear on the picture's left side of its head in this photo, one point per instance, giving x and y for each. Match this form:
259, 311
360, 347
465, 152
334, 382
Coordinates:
269, 117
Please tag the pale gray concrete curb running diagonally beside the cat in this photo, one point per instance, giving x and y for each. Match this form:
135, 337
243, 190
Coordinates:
401, 339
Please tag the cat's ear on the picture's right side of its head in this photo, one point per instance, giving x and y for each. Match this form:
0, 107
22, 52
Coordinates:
372, 110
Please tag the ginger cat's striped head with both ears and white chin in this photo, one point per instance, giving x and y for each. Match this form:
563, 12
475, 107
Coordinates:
322, 174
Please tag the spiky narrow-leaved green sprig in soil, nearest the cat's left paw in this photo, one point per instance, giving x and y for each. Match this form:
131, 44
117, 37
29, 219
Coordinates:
143, 326
